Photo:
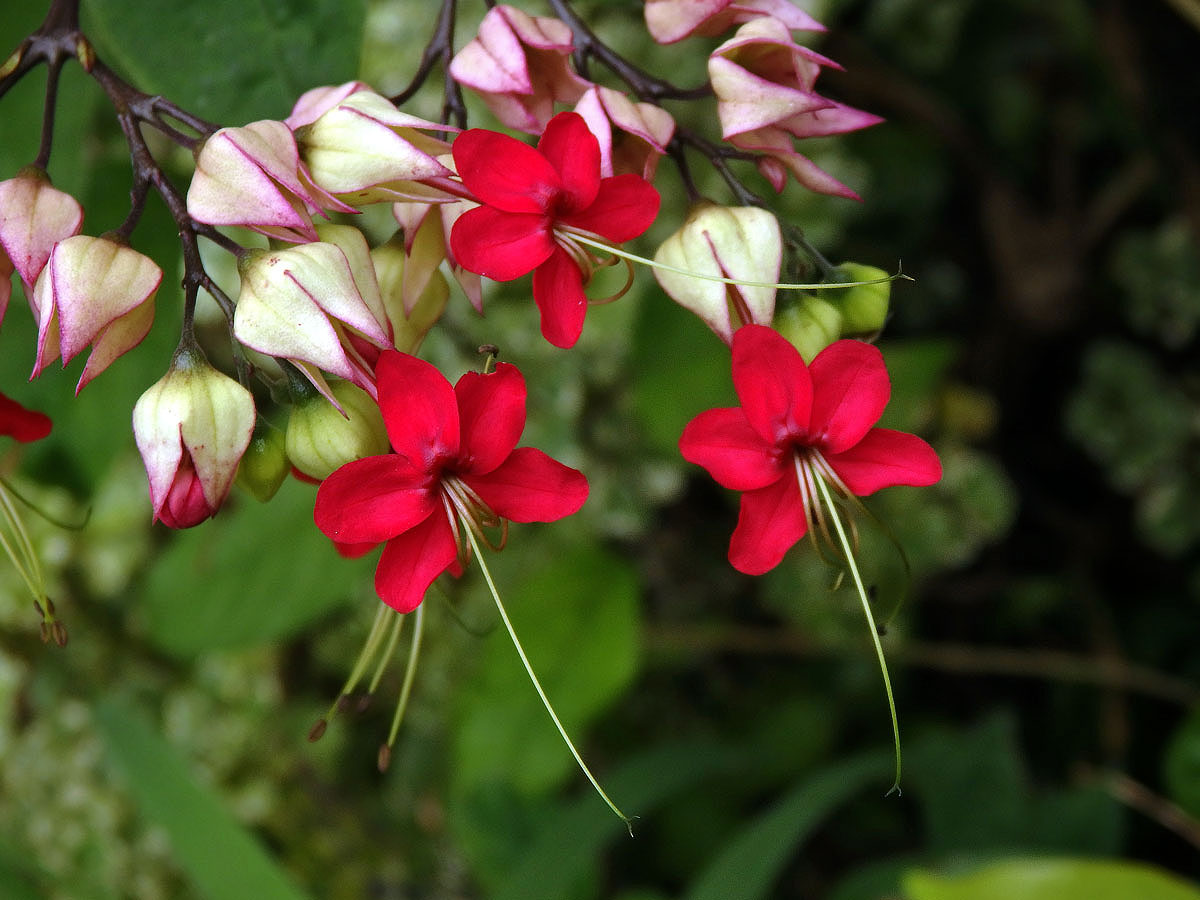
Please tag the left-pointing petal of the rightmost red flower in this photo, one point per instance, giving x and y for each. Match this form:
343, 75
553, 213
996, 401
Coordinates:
735, 455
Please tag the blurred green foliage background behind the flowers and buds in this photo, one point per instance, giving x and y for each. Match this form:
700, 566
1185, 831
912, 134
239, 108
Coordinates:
1036, 176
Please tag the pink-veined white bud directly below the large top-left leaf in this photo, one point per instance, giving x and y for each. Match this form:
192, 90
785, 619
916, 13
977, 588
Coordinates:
253, 177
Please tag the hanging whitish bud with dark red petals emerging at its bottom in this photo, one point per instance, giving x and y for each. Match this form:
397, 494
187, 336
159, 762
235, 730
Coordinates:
191, 430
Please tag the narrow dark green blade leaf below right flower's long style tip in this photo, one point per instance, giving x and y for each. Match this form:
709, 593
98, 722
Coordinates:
754, 860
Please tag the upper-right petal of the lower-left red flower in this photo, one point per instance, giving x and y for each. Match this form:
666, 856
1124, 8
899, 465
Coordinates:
491, 415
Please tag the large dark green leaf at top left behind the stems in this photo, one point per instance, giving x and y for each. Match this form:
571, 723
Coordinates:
226, 61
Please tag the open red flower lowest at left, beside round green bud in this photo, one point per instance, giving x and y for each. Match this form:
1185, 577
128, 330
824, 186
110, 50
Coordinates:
454, 464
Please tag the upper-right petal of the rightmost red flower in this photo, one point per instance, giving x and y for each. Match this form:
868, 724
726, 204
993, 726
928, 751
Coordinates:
850, 391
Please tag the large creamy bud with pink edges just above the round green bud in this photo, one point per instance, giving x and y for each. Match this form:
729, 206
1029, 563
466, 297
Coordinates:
299, 304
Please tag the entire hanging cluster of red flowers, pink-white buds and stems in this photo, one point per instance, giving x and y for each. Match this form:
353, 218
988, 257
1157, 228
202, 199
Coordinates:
331, 325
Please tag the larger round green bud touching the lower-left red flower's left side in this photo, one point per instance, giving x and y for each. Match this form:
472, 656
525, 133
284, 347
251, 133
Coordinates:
321, 440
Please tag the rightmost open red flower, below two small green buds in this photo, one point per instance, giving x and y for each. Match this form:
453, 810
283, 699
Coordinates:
799, 424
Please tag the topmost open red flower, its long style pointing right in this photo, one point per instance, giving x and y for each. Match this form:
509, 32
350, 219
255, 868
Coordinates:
532, 200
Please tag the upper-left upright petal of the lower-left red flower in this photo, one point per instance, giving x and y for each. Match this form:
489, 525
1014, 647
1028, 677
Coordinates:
419, 410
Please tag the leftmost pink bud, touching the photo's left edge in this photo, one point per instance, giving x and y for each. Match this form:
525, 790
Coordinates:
34, 217
